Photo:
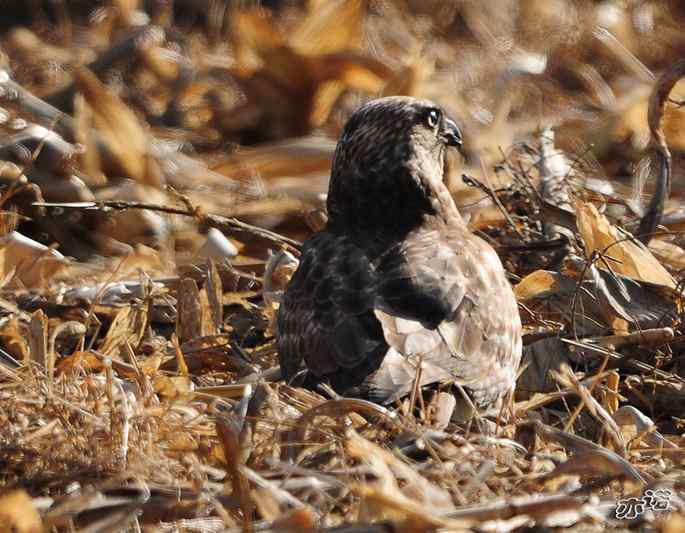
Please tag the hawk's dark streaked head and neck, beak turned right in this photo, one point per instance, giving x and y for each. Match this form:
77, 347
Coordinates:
389, 165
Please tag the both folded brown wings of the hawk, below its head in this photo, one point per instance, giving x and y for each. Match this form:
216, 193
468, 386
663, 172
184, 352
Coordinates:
438, 297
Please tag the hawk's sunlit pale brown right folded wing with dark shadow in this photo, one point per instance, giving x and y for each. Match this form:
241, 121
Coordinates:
444, 299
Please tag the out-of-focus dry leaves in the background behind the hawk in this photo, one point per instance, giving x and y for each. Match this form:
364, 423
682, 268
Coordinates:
238, 104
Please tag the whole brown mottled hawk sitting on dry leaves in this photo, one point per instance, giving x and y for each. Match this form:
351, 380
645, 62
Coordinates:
396, 280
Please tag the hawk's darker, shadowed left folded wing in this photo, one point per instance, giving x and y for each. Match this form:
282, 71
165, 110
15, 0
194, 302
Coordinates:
326, 323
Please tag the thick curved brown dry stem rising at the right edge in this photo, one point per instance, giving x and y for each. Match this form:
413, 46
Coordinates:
657, 101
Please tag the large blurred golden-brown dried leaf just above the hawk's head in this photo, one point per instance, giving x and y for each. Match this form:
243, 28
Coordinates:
308, 72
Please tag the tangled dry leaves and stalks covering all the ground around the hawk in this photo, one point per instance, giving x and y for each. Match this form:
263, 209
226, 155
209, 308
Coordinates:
161, 162
